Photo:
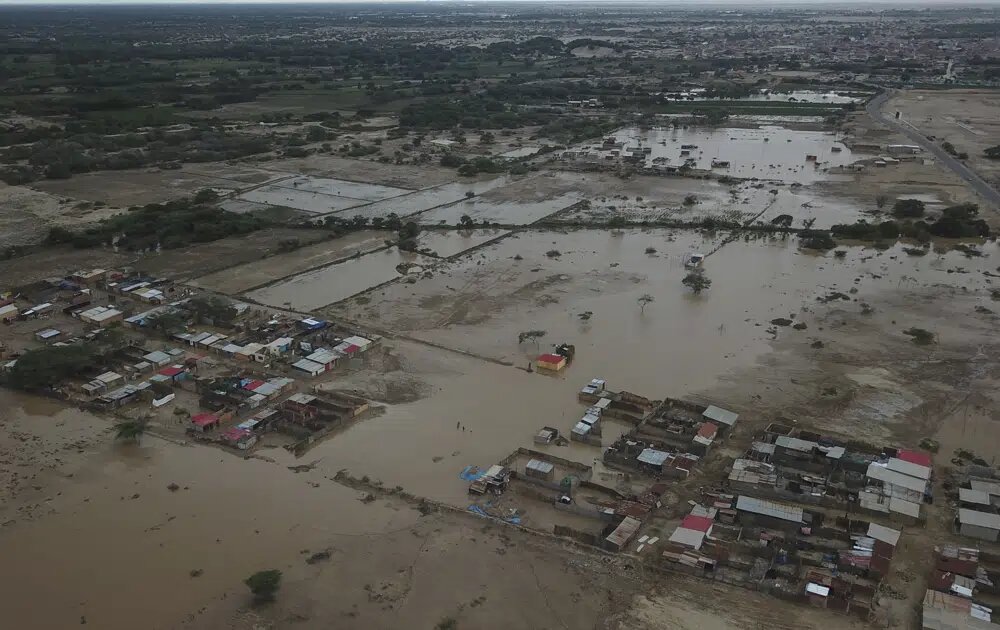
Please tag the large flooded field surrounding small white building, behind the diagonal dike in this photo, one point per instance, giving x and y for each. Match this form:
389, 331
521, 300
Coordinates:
604, 273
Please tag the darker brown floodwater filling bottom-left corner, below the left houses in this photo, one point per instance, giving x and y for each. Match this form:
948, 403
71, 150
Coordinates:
123, 562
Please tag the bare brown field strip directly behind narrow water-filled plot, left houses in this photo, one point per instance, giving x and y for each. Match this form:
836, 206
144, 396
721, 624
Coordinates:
245, 277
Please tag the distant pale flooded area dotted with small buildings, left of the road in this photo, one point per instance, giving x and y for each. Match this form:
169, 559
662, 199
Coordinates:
767, 153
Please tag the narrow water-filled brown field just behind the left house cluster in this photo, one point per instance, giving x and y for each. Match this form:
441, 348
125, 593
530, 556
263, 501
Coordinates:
318, 288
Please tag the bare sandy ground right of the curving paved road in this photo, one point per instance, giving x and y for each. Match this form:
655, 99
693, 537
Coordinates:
969, 119
